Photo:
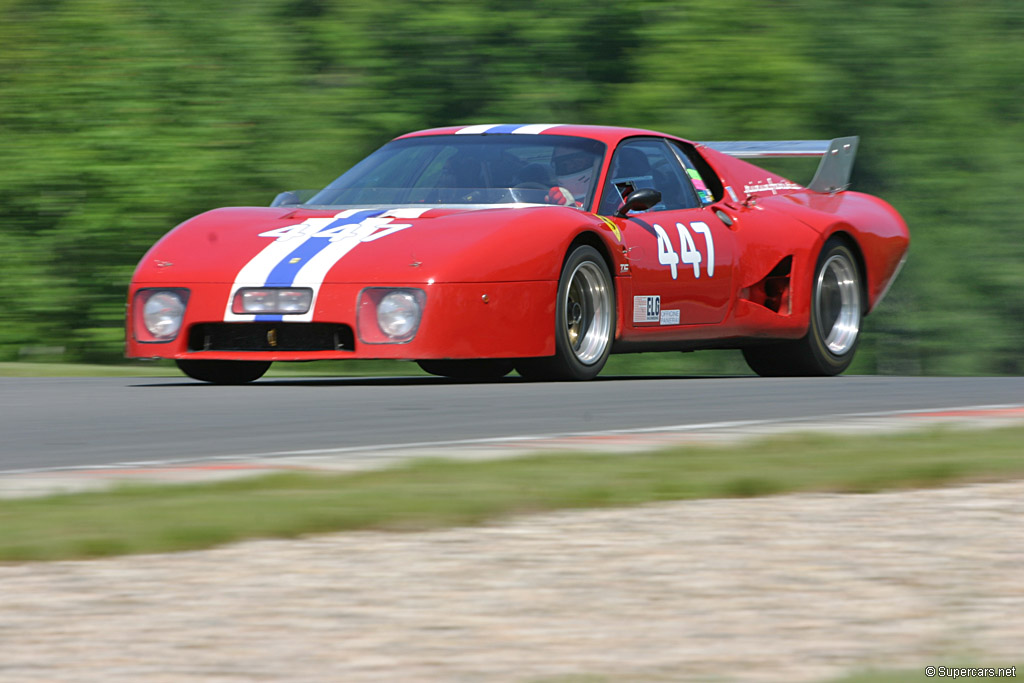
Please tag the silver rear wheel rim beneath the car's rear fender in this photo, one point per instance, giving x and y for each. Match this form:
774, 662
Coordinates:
837, 305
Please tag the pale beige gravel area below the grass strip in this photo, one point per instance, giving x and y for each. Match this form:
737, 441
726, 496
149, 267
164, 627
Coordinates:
791, 588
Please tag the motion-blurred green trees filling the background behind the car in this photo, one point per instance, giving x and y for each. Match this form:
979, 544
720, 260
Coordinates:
120, 118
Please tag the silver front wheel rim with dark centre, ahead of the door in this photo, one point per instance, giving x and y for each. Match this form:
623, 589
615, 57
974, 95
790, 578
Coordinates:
588, 313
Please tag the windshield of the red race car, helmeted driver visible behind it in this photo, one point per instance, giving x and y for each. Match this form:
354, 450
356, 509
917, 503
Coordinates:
473, 169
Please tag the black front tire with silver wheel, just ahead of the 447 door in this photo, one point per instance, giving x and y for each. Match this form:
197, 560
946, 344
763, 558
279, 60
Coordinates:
585, 321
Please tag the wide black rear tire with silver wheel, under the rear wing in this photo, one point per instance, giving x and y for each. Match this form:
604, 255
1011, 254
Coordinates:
837, 314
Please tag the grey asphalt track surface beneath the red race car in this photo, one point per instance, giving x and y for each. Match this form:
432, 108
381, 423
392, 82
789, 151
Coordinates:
87, 422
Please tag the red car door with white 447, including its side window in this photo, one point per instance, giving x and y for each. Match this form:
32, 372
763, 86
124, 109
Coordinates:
680, 253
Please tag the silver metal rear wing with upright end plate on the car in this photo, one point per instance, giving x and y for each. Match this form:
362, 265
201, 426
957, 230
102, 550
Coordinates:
834, 172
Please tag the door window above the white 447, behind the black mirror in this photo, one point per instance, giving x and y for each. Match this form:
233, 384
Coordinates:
645, 163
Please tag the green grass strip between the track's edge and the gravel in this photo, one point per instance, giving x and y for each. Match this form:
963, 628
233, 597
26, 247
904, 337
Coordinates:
439, 493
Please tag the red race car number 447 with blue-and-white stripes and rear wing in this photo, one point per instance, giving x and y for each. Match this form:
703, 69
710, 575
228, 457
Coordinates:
542, 248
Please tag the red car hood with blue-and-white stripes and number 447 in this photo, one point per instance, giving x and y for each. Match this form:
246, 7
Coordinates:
402, 245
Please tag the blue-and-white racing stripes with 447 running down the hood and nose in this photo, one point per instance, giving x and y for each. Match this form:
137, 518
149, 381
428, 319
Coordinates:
302, 255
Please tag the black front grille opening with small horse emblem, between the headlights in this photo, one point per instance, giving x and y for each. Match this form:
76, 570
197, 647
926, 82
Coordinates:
271, 337
